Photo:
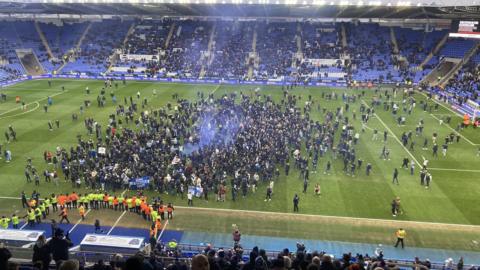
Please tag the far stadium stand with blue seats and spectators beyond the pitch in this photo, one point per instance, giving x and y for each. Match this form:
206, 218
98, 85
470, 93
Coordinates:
316, 56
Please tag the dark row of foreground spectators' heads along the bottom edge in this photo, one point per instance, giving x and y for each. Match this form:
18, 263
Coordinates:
234, 258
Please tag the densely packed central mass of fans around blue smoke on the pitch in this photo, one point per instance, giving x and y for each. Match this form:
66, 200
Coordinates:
227, 141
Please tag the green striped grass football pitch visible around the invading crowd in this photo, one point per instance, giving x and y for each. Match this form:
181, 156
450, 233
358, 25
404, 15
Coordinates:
452, 198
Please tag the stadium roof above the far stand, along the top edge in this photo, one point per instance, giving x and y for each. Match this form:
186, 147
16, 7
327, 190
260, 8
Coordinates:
388, 9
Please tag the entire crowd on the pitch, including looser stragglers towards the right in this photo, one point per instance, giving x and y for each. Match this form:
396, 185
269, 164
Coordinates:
216, 144
